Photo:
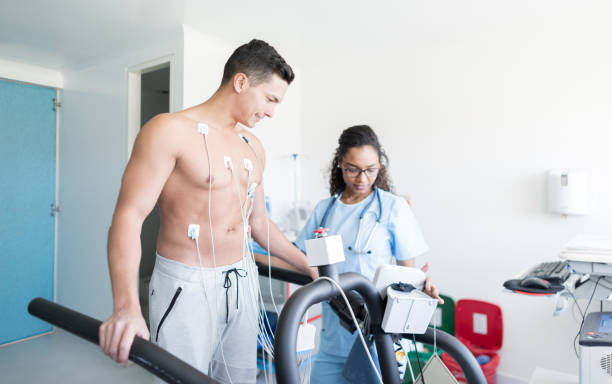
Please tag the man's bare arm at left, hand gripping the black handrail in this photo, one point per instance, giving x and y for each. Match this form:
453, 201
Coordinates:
150, 165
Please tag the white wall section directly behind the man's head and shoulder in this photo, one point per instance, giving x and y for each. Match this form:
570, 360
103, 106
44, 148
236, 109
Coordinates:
205, 56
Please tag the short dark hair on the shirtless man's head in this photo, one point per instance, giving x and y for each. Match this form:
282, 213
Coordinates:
258, 60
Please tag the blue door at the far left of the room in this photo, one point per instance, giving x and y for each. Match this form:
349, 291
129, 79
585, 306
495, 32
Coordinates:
27, 192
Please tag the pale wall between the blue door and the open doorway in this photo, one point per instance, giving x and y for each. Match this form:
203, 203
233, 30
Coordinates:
93, 155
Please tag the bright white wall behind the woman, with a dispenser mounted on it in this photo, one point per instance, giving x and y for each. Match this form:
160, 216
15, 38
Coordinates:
474, 101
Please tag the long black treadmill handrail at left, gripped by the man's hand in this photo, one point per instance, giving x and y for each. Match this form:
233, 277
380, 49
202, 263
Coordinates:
159, 362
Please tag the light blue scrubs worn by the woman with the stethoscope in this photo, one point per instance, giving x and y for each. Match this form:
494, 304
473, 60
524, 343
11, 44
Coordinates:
398, 235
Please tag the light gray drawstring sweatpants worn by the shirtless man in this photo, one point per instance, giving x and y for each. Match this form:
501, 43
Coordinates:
207, 316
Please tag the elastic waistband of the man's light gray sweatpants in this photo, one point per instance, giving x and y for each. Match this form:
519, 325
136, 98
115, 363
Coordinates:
193, 274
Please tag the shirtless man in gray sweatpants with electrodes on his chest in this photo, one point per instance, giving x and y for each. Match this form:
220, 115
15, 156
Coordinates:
180, 160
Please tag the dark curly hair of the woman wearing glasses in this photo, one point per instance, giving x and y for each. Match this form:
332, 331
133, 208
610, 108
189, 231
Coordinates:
358, 136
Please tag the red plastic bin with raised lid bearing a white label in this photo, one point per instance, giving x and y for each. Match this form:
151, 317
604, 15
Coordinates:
476, 341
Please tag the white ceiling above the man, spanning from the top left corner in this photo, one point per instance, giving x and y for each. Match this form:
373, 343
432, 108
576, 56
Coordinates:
73, 34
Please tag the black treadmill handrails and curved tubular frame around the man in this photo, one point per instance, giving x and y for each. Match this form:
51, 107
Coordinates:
173, 370
